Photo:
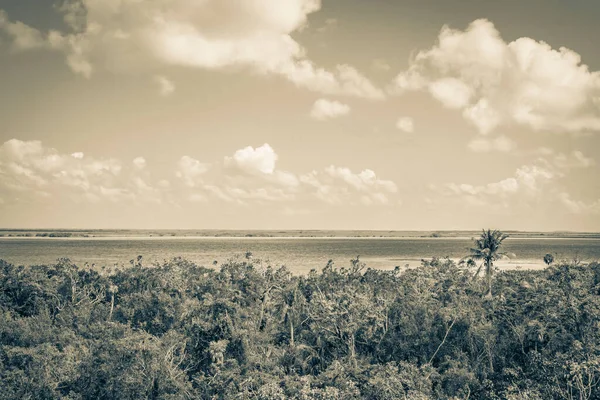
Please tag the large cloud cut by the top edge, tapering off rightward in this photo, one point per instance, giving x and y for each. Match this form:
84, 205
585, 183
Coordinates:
146, 36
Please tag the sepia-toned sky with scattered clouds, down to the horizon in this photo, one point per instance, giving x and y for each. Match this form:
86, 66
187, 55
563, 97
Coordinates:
300, 114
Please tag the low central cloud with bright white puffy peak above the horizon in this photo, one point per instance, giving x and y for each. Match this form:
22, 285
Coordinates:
251, 176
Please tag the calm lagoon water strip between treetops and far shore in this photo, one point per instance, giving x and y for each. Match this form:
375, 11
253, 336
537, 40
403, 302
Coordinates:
300, 255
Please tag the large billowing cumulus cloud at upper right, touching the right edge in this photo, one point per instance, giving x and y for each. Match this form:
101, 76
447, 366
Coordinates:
495, 83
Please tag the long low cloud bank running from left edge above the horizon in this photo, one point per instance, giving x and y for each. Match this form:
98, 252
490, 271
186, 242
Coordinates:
31, 173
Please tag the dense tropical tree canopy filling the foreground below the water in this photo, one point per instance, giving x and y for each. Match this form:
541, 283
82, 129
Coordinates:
248, 331
